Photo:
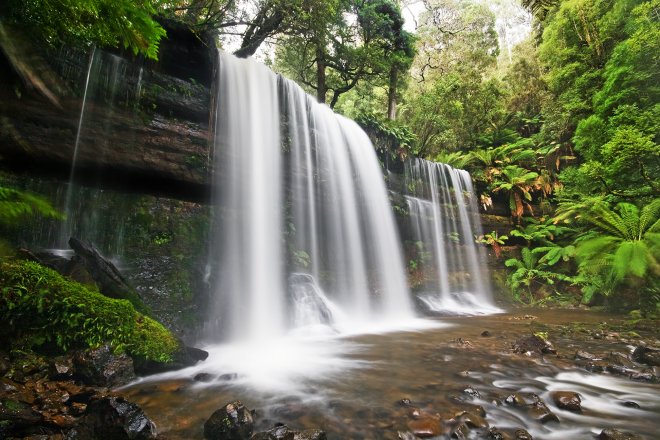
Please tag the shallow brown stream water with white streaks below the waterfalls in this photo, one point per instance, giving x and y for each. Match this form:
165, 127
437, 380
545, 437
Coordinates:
431, 368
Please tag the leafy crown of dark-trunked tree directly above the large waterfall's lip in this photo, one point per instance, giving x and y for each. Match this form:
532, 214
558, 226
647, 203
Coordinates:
335, 45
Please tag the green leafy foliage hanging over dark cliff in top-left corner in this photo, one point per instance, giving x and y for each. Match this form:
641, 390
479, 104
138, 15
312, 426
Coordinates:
107, 23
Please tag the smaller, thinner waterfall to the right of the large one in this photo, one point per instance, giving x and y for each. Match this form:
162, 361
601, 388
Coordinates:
444, 223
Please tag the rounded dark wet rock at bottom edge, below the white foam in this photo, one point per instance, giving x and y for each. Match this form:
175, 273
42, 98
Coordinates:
231, 422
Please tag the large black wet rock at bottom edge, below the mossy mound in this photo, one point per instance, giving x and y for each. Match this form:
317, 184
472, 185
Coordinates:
115, 418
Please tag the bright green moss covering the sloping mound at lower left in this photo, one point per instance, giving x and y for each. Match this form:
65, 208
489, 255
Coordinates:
42, 309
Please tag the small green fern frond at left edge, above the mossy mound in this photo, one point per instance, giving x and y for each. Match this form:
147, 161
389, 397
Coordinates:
16, 205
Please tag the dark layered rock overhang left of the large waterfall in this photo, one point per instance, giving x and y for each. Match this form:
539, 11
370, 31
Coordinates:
143, 125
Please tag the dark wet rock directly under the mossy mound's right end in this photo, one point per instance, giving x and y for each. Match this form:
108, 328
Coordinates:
101, 367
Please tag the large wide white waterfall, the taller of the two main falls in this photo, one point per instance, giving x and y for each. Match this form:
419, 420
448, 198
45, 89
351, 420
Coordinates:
301, 214
